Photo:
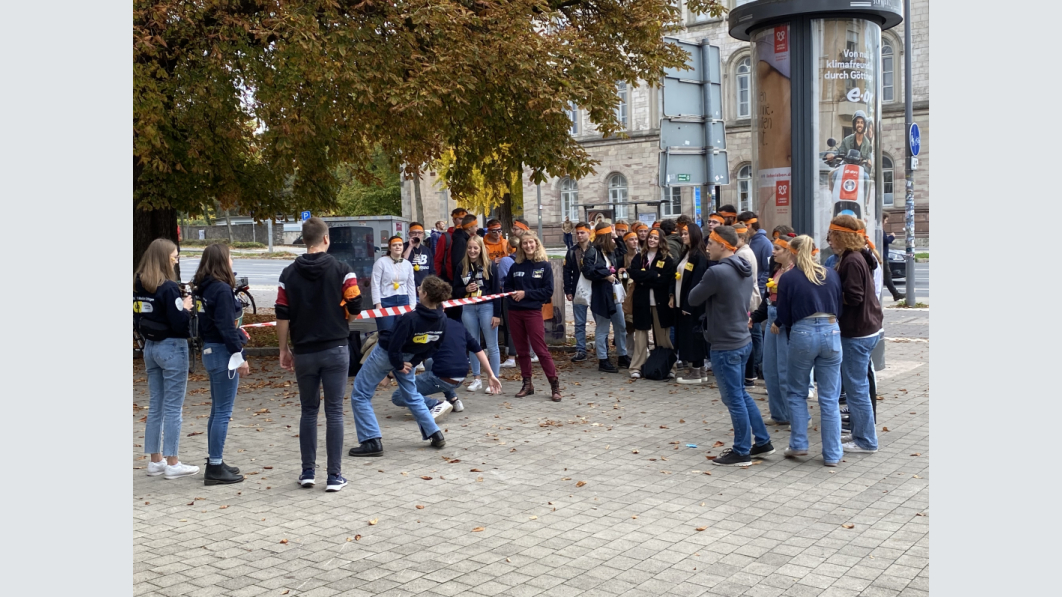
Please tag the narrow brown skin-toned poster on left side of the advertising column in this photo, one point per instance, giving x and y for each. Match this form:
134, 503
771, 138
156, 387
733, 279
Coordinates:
773, 133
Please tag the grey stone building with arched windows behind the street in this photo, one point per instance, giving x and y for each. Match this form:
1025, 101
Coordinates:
629, 167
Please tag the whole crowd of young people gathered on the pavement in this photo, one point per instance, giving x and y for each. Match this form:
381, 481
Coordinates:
727, 300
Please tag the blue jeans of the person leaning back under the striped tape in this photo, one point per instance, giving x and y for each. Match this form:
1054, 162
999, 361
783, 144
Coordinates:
373, 372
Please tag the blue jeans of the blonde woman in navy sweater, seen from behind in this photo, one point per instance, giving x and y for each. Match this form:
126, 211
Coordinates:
815, 343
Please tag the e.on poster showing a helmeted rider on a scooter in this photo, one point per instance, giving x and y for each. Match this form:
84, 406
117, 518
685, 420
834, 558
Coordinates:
846, 110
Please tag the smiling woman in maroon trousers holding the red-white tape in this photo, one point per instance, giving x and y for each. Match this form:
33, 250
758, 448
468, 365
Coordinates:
532, 281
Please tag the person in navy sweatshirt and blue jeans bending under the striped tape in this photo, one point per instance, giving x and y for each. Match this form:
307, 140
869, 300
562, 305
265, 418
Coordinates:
415, 338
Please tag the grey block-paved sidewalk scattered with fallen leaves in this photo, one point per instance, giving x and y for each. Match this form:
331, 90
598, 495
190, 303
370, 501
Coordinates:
596, 496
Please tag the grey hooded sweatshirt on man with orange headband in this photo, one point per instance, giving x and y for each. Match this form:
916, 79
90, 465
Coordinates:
725, 289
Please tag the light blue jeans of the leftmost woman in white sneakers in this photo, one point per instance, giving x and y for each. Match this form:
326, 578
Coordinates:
167, 364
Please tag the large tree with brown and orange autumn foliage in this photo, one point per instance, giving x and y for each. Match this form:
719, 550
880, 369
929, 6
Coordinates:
256, 104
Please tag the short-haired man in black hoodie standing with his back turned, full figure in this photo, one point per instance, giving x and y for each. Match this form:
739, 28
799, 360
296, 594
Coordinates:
316, 297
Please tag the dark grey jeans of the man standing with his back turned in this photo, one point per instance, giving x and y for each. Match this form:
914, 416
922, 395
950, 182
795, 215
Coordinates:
327, 368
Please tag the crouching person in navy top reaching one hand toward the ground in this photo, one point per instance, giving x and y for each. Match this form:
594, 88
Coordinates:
448, 369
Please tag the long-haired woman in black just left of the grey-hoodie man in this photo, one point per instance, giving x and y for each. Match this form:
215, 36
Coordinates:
691, 270
